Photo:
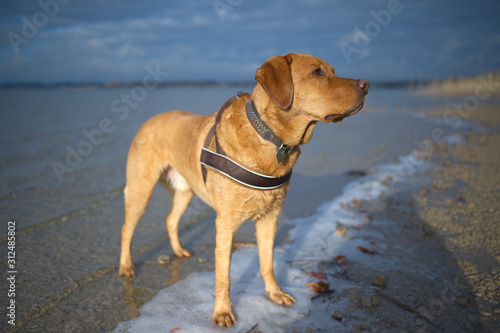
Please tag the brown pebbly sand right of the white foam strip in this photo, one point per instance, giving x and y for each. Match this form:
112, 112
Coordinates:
446, 235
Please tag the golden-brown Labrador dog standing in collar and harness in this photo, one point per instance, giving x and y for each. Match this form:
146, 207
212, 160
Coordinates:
257, 134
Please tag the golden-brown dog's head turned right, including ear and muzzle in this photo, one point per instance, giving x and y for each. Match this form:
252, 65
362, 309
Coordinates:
309, 85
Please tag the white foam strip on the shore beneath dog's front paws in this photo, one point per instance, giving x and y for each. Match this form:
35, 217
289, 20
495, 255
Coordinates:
319, 246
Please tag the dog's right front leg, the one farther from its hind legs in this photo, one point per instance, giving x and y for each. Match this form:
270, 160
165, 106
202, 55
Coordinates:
265, 233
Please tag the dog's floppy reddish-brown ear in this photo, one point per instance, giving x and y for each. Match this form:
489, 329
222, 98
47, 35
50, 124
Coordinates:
276, 78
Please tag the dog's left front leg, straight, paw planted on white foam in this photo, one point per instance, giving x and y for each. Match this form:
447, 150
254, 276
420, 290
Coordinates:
223, 308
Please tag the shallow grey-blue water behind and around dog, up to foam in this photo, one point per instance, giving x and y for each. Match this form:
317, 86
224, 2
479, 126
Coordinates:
62, 182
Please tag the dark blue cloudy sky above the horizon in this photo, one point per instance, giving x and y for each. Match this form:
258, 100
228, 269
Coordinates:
84, 41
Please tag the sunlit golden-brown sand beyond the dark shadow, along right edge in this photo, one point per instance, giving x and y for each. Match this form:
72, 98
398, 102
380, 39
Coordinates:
462, 206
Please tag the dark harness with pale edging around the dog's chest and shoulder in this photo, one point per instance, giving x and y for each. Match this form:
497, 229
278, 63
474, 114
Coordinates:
219, 162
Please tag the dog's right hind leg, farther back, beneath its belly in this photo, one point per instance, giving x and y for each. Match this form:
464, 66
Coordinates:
181, 195
